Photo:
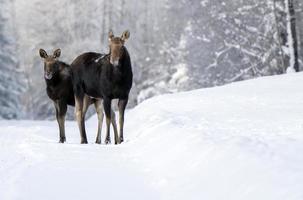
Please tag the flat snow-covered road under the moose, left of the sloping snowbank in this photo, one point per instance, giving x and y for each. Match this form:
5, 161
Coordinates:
35, 166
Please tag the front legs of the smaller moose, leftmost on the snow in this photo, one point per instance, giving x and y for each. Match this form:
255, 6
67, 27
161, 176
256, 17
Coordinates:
61, 109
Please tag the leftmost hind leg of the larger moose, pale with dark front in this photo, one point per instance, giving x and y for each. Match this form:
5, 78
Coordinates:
80, 118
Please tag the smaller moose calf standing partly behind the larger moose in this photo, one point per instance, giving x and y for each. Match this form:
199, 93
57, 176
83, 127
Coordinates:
59, 88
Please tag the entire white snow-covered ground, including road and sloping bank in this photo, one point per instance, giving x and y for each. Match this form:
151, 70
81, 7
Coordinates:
240, 141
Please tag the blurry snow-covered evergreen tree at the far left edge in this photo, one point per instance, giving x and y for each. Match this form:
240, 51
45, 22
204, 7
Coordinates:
11, 79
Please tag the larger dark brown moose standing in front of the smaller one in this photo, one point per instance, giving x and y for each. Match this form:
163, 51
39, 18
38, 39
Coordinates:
106, 76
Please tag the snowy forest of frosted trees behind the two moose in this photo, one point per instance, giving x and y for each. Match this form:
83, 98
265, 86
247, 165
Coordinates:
174, 45
